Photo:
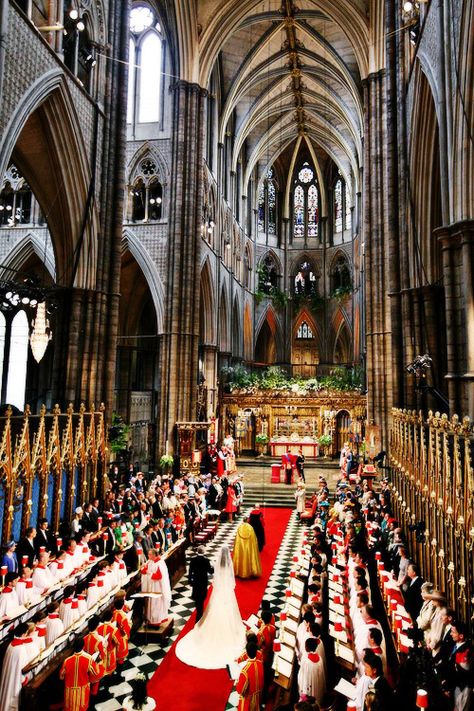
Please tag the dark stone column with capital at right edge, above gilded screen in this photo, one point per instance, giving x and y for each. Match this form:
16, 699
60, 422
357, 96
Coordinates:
457, 244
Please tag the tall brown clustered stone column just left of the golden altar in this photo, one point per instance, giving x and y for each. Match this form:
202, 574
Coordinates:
179, 352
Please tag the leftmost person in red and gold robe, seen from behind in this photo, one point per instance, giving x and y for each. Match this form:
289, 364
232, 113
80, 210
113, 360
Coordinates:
78, 671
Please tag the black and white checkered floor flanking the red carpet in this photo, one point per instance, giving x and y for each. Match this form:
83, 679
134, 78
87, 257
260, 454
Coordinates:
148, 657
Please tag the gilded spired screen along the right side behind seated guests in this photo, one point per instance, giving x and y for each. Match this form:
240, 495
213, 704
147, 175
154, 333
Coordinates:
432, 481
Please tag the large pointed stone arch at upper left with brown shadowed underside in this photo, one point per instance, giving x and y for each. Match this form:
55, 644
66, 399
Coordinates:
45, 117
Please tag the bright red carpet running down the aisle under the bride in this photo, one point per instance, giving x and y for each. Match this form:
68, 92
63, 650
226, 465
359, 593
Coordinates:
182, 688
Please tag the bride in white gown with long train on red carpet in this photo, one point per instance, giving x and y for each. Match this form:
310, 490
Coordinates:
219, 636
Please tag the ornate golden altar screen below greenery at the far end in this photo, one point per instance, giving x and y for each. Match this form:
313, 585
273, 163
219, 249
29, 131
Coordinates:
293, 419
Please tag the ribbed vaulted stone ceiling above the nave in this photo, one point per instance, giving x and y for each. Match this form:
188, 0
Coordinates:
288, 69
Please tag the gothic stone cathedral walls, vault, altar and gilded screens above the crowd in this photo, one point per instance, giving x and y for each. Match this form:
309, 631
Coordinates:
223, 217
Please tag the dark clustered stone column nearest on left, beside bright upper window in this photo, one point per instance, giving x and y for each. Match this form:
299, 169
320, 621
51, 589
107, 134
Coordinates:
87, 320
